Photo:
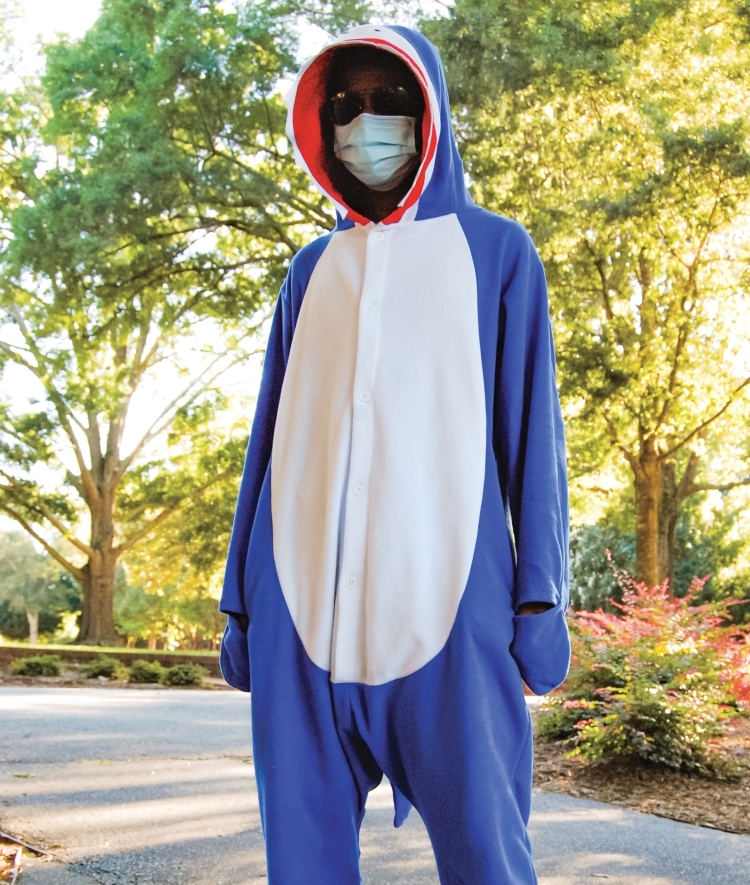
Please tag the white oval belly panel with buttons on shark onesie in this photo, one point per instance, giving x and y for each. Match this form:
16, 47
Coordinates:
379, 450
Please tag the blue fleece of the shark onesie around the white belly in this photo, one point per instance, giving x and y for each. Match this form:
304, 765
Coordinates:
454, 738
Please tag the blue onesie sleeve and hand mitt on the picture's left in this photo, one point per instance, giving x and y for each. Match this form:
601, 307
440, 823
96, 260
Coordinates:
234, 657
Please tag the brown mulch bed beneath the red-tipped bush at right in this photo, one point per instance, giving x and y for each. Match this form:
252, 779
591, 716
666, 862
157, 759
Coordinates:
721, 802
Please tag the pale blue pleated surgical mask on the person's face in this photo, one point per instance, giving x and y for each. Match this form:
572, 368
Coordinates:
378, 150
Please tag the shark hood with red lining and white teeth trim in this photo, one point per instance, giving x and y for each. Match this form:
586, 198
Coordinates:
439, 187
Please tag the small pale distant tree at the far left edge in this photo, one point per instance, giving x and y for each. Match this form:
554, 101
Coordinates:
29, 581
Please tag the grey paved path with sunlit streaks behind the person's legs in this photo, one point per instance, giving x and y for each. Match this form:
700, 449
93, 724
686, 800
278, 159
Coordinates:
154, 787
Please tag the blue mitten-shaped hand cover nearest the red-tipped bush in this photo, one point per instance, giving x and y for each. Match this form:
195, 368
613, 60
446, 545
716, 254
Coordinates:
541, 648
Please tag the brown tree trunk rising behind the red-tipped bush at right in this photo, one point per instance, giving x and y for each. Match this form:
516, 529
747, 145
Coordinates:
648, 495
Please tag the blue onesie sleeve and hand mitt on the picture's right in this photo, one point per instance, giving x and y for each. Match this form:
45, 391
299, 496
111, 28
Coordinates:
529, 443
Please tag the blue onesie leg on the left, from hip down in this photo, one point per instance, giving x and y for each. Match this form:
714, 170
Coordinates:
312, 782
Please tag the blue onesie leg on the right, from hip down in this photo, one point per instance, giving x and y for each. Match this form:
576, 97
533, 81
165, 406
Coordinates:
455, 738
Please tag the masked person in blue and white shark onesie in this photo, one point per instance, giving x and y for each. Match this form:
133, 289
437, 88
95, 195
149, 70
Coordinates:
398, 561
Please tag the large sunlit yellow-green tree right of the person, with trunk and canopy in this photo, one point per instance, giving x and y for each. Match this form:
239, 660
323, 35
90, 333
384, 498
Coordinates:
619, 134
